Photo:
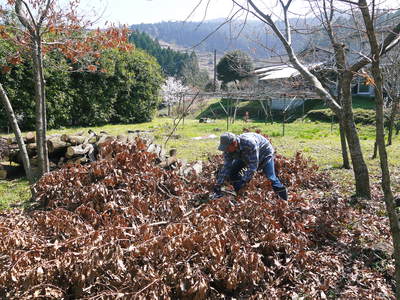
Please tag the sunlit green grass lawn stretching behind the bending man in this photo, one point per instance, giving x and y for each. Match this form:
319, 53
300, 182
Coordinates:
317, 140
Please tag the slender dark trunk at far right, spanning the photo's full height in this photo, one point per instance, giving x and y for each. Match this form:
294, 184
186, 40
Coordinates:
380, 139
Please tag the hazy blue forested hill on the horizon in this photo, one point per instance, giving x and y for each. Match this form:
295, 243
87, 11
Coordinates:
255, 38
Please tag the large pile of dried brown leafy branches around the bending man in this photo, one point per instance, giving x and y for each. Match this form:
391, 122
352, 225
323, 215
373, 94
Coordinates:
124, 228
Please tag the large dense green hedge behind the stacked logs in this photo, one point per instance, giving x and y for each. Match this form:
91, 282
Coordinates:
126, 93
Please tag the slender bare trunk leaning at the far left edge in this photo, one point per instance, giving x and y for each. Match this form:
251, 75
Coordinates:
17, 132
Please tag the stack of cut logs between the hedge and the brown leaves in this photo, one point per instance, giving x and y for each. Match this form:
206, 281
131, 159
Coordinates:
81, 148
